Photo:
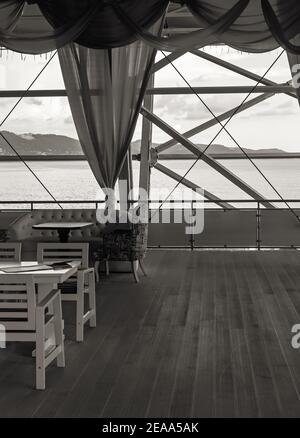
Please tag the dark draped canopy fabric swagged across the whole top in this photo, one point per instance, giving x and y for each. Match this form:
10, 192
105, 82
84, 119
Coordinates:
248, 25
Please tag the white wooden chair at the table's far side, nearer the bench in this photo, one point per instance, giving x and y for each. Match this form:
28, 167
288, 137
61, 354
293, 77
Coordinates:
79, 285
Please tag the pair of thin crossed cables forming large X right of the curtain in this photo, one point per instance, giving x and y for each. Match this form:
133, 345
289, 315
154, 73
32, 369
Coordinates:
223, 127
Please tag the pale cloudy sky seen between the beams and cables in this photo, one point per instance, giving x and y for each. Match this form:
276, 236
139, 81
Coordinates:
272, 124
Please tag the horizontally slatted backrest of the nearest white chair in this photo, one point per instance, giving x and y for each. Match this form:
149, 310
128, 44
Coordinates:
17, 302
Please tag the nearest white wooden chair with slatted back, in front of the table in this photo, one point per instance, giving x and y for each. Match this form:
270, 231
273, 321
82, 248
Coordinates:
25, 320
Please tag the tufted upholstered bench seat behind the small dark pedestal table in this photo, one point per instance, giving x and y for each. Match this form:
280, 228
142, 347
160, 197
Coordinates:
21, 229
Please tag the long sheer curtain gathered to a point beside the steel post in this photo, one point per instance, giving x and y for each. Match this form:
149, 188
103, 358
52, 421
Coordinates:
105, 90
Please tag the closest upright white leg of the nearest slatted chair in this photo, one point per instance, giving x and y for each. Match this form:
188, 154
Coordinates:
40, 350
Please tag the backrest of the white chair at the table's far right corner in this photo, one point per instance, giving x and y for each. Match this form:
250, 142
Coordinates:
49, 252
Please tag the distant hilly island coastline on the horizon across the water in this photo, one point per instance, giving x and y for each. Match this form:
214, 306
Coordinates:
48, 145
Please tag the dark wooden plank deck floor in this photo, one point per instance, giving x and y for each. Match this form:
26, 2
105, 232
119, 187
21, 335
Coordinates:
206, 334
